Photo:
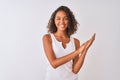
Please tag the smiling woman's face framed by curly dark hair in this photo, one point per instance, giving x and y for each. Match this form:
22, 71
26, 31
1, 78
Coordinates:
61, 20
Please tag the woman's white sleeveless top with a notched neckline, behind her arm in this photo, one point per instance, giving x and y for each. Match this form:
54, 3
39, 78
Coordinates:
63, 72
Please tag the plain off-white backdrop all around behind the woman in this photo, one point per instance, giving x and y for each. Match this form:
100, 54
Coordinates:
23, 23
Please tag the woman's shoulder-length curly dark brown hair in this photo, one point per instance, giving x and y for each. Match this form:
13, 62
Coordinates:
72, 21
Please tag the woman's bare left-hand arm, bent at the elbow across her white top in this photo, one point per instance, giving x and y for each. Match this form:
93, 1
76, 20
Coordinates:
55, 62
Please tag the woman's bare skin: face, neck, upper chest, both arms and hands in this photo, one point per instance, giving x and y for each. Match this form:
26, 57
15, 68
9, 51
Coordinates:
78, 56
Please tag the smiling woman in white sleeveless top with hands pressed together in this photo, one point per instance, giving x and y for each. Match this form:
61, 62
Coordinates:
64, 53
